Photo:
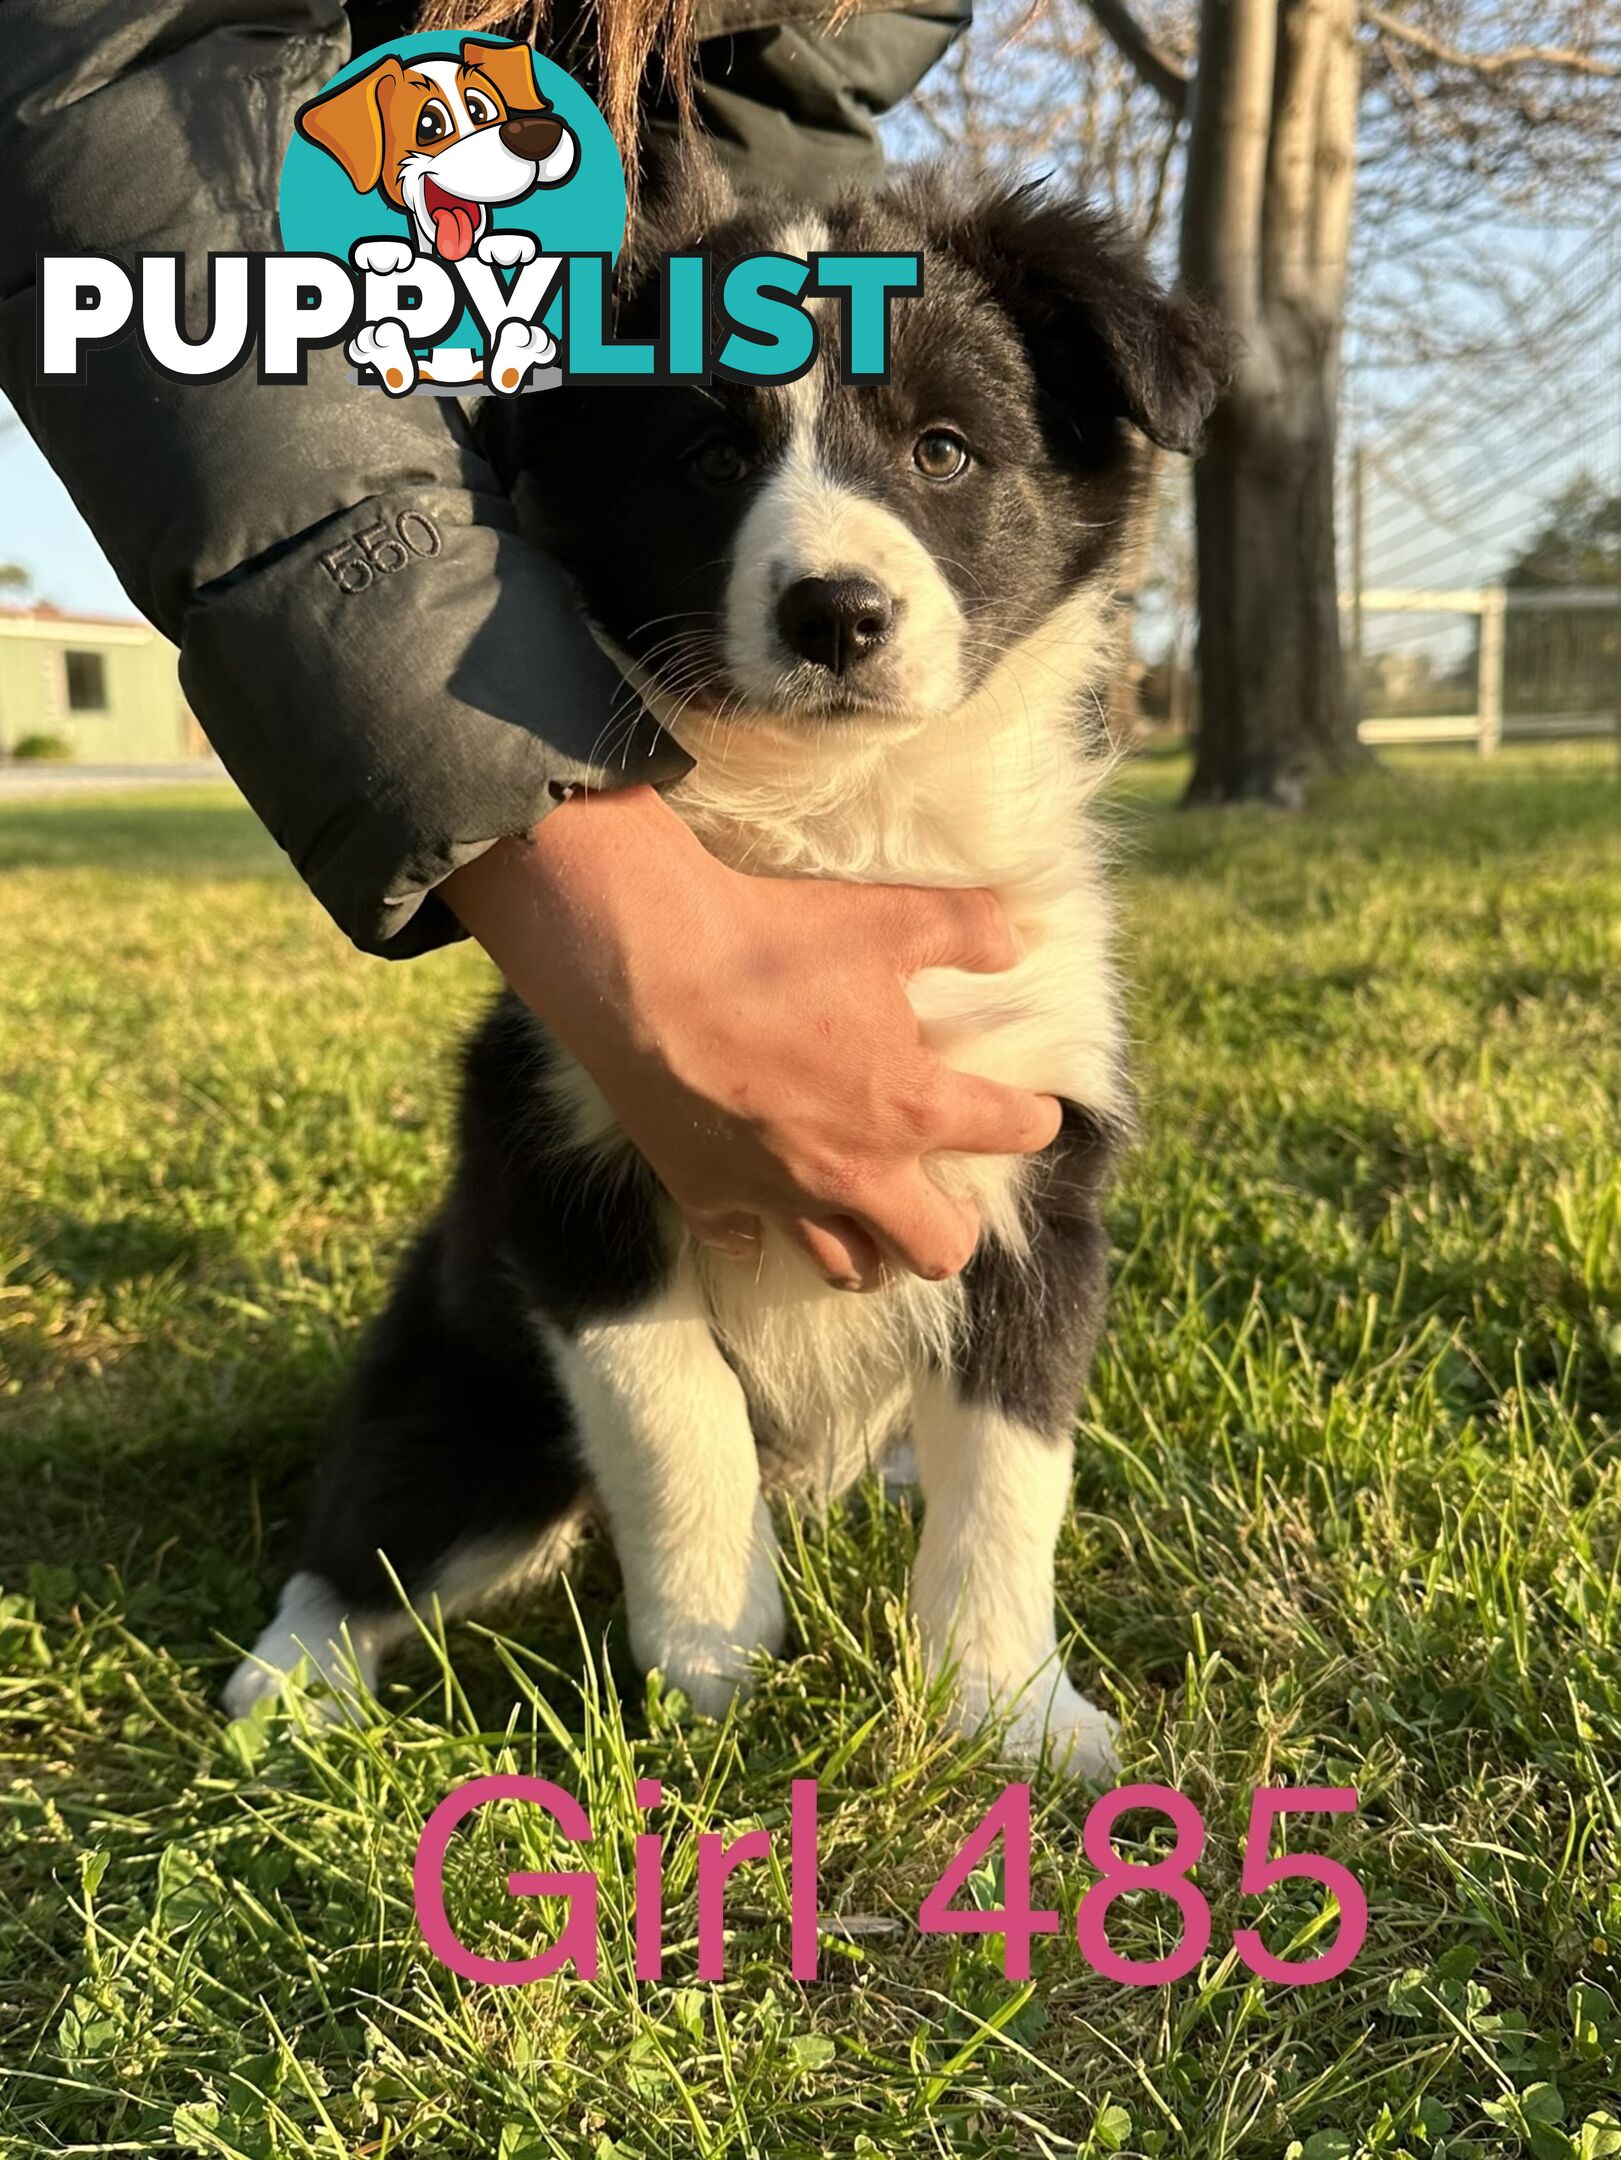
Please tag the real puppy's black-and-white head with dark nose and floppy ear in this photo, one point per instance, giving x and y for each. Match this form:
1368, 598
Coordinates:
809, 554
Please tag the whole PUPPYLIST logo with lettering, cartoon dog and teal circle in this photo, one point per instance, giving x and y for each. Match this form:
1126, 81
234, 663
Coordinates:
451, 217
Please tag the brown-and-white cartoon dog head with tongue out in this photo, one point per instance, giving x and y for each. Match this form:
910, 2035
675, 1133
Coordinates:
444, 139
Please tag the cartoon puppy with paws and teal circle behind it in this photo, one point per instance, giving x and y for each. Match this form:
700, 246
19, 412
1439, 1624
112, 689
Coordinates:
440, 161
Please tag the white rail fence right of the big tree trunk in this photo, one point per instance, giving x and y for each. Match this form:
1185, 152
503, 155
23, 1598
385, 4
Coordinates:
1501, 710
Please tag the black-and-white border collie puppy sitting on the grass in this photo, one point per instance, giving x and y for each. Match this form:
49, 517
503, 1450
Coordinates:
876, 617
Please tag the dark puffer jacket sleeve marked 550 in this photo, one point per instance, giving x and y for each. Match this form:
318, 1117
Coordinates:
388, 710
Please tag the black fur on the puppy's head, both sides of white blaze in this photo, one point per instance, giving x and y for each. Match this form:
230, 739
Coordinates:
1039, 336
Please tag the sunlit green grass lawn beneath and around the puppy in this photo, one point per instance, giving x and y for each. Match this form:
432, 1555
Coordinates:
1348, 1513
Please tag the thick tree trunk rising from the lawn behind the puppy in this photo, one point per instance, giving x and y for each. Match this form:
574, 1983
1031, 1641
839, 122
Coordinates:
1265, 234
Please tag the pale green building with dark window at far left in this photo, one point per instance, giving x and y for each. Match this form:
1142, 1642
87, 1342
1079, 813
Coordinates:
105, 688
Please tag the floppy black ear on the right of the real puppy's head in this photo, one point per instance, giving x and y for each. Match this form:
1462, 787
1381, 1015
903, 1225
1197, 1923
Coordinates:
1103, 336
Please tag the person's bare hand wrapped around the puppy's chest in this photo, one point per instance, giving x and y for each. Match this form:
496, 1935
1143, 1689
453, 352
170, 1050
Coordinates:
753, 1034
